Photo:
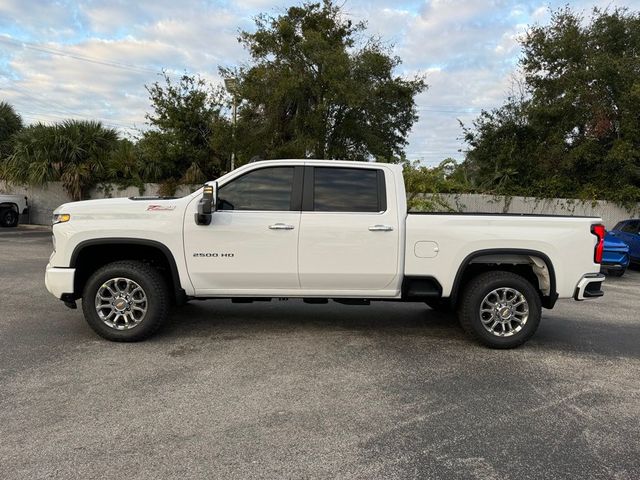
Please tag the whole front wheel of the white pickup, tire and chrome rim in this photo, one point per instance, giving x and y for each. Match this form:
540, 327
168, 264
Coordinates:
126, 301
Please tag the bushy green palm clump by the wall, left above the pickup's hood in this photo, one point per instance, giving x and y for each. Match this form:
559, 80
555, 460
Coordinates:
74, 152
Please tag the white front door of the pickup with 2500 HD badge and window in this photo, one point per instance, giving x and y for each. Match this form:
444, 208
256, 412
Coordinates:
251, 245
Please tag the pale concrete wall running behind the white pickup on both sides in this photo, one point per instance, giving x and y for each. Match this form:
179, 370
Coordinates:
43, 200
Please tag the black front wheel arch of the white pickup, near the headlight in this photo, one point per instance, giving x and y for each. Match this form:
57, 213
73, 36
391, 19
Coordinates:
90, 255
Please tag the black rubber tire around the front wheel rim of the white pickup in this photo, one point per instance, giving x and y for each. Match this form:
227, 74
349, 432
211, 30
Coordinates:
156, 295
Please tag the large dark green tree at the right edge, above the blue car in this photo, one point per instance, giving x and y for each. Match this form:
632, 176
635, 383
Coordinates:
575, 131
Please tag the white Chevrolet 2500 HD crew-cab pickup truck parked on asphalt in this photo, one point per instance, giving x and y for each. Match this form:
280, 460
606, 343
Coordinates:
316, 230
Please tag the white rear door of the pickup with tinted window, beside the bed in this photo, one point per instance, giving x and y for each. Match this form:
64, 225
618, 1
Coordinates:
348, 236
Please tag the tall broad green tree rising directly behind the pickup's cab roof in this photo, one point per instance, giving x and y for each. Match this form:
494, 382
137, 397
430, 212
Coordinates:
318, 87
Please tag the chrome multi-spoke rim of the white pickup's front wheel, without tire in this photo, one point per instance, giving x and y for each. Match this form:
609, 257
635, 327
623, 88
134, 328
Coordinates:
121, 303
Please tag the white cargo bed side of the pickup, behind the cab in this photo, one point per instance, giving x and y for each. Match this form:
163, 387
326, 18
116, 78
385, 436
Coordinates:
439, 242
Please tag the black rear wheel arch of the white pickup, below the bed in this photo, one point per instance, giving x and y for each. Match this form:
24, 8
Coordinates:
541, 275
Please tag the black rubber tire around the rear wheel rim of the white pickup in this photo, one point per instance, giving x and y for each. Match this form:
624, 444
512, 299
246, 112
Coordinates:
472, 299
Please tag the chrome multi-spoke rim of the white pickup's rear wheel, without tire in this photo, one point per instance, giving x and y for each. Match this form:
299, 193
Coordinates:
504, 312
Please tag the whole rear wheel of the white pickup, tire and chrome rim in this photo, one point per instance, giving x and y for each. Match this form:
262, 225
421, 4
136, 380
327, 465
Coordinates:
500, 309
